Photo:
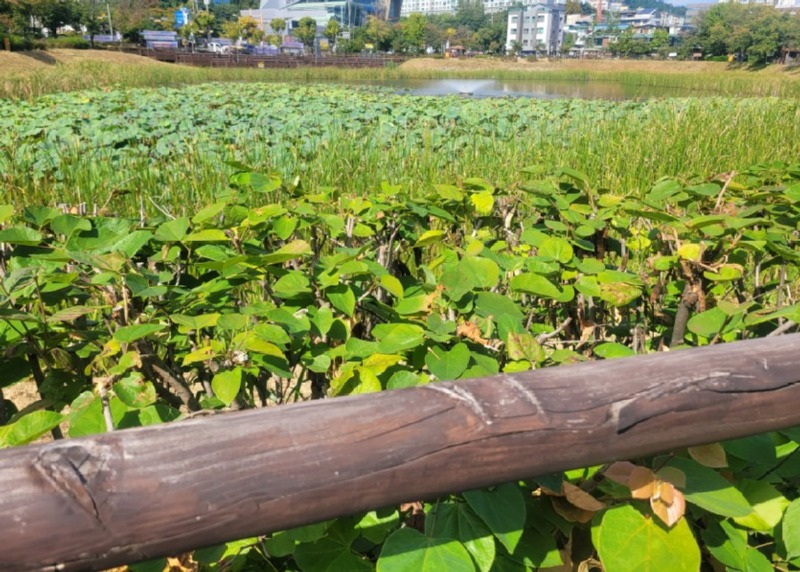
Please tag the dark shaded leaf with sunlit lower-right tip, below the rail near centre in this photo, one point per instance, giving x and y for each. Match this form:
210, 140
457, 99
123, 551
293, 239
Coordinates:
459, 522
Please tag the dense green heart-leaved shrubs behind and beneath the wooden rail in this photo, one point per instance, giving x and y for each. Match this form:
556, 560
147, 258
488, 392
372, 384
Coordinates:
273, 294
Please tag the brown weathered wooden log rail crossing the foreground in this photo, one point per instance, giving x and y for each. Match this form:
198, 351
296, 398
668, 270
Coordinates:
96, 502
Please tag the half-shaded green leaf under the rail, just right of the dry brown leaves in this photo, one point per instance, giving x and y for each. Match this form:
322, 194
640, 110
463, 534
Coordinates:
707, 489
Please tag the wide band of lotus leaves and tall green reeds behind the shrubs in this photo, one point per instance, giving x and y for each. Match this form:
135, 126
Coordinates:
178, 147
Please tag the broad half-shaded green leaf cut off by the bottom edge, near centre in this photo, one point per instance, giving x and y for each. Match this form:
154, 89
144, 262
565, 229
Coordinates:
407, 550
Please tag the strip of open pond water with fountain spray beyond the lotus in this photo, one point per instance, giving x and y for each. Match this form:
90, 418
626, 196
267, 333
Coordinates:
538, 89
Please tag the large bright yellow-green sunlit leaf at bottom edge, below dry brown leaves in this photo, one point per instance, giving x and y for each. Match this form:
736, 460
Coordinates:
628, 541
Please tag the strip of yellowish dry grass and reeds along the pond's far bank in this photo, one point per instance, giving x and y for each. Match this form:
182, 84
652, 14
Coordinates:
28, 76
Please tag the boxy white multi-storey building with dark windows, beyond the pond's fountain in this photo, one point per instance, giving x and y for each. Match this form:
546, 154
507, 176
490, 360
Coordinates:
538, 28
